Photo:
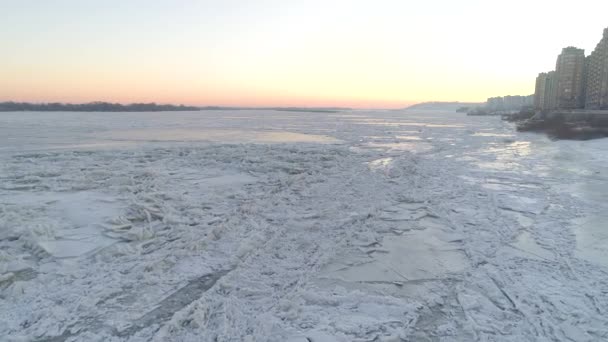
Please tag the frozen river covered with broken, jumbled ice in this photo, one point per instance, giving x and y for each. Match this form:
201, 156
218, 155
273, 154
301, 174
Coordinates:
284, 226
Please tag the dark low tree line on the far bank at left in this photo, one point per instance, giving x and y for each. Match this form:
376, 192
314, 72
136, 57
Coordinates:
91, 107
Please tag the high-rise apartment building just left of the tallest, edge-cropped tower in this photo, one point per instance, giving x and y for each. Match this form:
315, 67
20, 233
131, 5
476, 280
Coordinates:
569, 72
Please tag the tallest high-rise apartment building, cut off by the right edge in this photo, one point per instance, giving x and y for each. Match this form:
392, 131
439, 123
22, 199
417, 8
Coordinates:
597, 76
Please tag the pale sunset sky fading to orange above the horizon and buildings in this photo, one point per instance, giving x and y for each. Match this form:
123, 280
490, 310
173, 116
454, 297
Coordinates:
381, 53
